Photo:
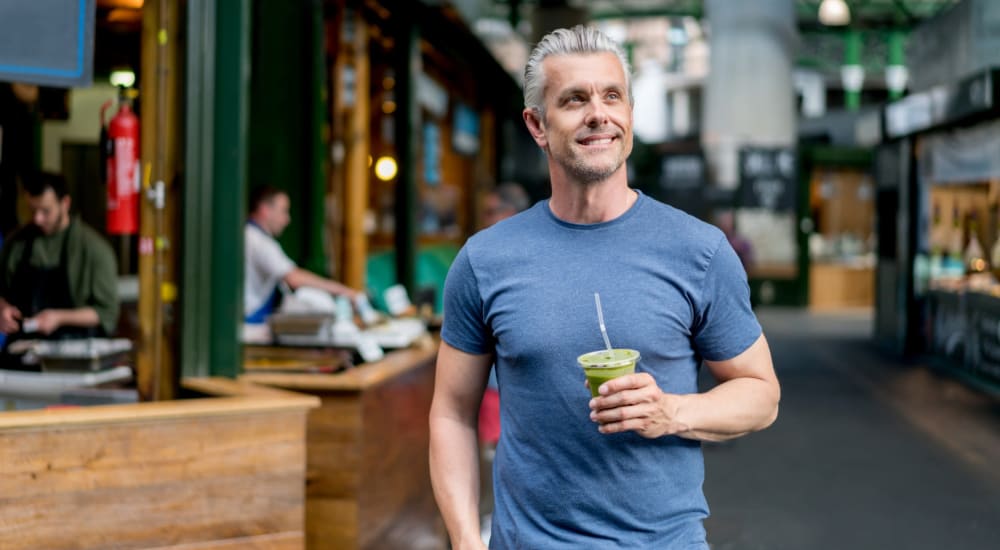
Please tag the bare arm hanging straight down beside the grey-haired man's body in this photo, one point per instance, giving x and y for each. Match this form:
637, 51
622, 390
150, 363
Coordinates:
454, 454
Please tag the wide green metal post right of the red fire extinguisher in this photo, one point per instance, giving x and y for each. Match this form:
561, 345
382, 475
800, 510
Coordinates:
213, 195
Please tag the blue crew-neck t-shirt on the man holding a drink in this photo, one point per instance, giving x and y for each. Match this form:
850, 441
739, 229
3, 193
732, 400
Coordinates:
672, 288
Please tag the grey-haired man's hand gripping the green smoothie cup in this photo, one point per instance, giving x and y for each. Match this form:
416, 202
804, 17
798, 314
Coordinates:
635, 403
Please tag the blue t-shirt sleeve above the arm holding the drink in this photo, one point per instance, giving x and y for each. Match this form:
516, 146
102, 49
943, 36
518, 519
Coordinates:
725, 325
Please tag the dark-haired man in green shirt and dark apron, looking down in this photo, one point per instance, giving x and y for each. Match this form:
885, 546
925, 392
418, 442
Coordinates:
58, 276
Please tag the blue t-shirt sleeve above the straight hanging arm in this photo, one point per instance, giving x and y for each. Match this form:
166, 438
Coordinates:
464, 324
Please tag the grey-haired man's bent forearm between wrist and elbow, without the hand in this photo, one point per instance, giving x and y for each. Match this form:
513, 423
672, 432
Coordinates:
731, 409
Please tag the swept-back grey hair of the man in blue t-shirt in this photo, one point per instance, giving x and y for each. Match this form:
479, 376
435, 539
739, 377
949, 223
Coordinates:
578, 40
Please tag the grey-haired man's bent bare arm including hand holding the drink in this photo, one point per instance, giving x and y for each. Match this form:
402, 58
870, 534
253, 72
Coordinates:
744, 401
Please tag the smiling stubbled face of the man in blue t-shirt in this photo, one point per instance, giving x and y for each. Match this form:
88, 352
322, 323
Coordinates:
587, 129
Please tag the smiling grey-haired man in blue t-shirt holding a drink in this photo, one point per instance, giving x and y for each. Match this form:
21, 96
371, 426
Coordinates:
624, 469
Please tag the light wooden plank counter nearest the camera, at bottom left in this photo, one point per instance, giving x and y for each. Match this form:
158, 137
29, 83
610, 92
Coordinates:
209, 473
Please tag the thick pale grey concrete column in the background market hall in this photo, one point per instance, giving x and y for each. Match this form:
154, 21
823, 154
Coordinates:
749, 96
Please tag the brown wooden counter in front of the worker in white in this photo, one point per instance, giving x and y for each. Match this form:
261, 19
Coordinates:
368, 480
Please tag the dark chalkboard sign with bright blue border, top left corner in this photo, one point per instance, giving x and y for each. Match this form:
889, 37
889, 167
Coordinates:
47, 42
